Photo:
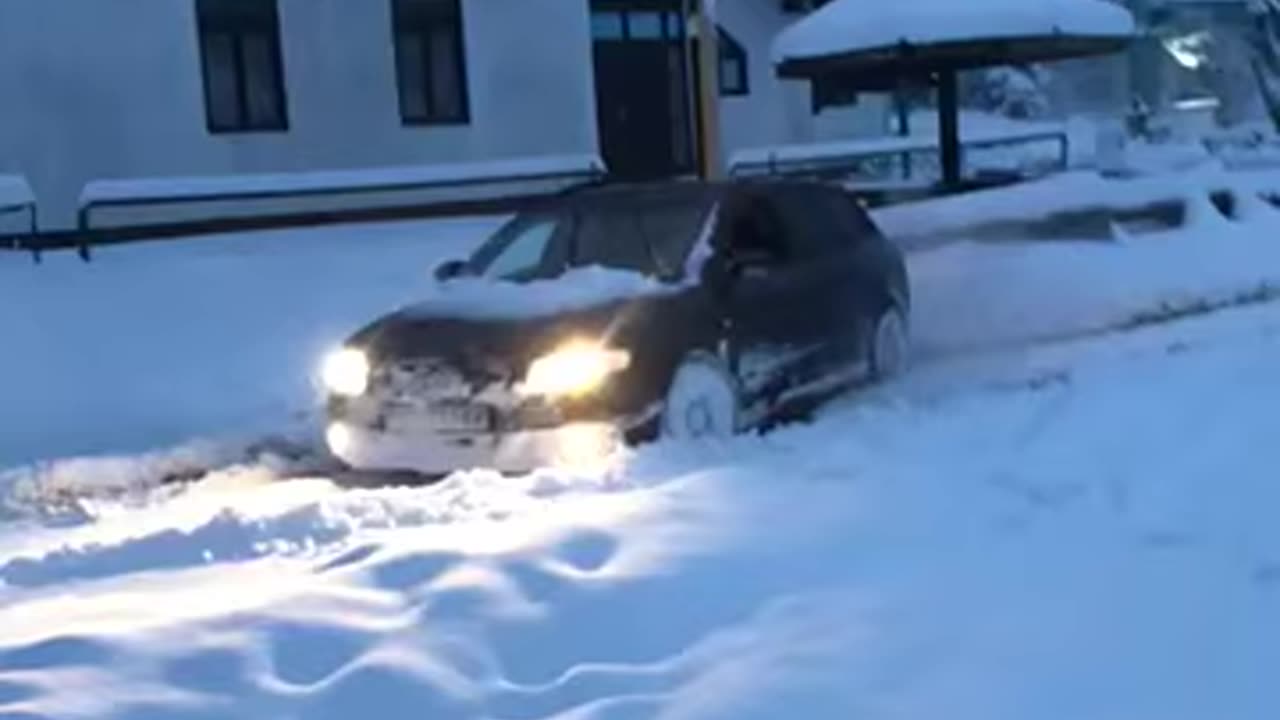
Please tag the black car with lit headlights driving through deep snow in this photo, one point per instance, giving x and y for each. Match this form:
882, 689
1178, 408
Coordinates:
625, 315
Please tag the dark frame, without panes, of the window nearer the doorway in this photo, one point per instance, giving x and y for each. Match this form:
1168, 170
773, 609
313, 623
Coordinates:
404, 24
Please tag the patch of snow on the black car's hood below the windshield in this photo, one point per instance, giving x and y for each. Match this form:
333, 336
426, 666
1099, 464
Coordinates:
482, 299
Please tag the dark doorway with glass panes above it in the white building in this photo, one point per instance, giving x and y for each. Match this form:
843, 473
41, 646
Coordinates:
642, 88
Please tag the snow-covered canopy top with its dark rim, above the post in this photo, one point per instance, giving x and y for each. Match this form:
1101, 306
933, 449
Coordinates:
860, 29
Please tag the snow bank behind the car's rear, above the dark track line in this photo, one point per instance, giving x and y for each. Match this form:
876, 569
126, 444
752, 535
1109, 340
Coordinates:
982, 295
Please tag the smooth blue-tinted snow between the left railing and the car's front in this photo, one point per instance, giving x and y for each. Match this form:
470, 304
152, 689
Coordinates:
157, 344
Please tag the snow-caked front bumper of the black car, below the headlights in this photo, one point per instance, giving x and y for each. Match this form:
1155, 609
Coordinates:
574, 446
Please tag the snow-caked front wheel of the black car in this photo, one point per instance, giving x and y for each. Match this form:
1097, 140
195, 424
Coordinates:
705, 402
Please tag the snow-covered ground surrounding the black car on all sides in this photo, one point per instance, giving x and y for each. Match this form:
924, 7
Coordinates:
1025, 527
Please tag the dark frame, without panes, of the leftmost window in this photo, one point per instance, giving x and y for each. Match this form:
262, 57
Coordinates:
230, 22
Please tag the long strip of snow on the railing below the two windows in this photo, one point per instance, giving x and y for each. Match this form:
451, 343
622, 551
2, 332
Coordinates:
341, 181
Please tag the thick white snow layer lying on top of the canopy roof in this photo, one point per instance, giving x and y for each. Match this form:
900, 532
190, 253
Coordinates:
852, 26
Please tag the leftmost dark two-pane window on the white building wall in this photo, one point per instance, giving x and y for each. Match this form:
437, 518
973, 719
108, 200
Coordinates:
240, 49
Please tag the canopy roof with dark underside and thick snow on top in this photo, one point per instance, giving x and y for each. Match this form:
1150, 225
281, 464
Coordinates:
888, 39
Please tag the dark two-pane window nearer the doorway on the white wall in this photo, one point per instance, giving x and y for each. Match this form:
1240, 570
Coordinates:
431, 62
